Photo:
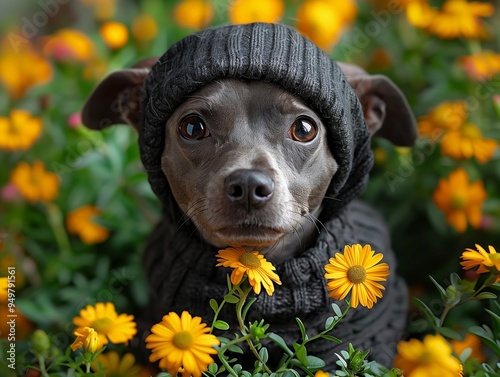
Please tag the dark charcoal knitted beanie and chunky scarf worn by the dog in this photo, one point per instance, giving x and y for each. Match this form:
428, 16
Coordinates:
181, 266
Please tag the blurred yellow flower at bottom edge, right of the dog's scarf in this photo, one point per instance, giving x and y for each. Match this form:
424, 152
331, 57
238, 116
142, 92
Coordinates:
431, 357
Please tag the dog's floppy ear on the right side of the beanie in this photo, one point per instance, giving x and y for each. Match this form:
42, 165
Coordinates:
386, 110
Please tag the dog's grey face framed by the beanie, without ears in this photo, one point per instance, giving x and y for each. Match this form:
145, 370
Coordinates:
249, 164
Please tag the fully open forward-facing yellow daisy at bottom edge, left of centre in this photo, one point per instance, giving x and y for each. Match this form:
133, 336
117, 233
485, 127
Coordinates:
182, 344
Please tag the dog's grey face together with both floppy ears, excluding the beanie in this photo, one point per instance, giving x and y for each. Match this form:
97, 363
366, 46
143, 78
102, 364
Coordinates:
247, 162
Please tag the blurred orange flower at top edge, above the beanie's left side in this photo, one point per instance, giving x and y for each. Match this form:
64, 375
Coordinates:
193, 14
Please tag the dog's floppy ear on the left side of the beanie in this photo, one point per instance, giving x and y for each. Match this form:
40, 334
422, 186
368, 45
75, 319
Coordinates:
117, 98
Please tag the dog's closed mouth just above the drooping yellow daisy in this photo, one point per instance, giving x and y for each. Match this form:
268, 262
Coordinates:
244, 235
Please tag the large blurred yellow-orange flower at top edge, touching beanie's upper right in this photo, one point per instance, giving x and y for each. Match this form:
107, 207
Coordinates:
322, 21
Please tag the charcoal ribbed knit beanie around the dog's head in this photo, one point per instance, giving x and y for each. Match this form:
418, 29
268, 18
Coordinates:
272, 53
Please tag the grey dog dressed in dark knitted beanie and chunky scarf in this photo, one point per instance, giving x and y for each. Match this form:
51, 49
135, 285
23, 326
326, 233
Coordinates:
252, 136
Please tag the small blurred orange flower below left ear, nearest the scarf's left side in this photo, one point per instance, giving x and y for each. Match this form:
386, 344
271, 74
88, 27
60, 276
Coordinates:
79, 222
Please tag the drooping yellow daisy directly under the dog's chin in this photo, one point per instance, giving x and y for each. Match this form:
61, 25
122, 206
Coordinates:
254, 265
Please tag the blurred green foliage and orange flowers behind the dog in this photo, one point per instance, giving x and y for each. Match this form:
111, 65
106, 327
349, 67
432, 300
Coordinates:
75, 205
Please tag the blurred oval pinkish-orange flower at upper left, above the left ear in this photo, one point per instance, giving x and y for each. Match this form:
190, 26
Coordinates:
69, 45
